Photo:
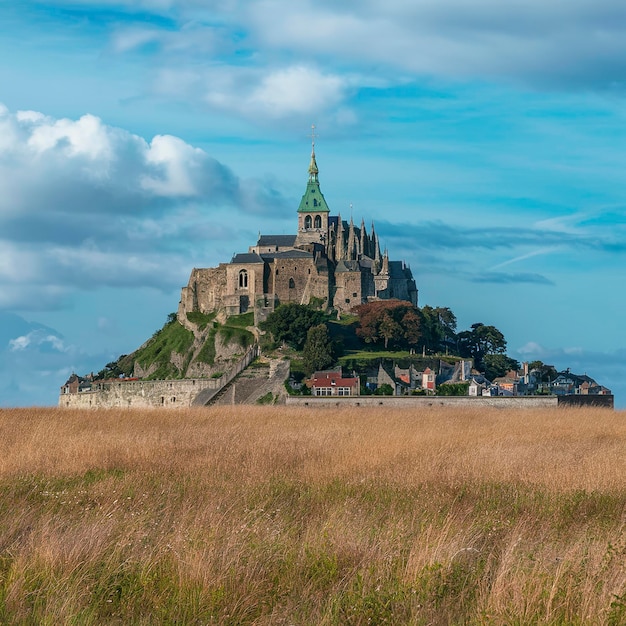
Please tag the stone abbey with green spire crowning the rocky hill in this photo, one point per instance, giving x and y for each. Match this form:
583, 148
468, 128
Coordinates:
330, 261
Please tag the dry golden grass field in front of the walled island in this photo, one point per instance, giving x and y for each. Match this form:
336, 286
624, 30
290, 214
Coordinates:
273, 515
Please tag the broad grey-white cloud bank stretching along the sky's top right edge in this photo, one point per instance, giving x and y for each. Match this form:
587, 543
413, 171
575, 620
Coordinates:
580, 41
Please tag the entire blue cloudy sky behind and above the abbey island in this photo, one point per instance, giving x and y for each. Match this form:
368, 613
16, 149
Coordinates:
140, 139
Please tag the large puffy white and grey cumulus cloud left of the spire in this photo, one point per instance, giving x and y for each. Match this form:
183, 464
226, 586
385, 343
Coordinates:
84, 205
